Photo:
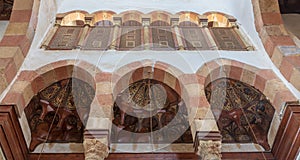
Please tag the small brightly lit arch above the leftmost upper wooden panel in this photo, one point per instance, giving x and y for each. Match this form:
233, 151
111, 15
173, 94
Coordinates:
74, 18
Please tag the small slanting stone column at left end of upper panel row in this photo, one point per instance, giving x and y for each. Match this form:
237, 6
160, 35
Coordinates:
52, 31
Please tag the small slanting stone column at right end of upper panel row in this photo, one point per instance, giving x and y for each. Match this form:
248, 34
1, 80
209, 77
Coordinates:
241, 34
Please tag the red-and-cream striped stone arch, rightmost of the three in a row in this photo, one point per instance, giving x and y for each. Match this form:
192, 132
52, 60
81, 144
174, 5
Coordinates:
265, 80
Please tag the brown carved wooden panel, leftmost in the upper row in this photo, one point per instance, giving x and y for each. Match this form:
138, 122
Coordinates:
65, 38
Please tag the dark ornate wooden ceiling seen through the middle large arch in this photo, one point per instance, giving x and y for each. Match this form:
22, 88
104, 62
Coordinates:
149, 109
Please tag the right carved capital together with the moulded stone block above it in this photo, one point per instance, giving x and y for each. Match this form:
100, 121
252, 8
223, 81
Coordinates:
208, 145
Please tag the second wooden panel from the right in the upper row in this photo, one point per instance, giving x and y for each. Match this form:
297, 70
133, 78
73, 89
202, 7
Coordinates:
194, 38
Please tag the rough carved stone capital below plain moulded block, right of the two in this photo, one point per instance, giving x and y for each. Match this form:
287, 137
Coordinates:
209, 150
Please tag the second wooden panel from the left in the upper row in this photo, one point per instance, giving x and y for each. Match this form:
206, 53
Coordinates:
98, 38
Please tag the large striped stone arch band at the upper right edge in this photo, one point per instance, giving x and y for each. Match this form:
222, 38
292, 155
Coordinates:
280, 47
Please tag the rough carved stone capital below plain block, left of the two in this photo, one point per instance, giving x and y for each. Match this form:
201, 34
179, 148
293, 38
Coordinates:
96, 149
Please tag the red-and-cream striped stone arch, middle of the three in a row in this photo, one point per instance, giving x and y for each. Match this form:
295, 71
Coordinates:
185, 85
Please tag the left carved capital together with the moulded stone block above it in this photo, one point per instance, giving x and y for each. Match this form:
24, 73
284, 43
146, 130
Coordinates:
96, 144
